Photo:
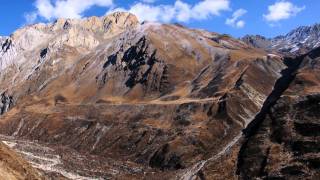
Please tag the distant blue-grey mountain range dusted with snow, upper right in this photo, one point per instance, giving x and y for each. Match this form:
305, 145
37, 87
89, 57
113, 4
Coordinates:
298, 41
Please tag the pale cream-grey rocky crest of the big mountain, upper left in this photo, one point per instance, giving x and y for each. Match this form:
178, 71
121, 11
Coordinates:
80, 34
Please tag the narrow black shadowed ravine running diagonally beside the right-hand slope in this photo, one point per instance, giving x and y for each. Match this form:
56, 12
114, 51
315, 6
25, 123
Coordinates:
282, 84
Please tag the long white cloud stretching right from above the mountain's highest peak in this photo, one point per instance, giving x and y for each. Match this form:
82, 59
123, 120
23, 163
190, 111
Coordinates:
179, 11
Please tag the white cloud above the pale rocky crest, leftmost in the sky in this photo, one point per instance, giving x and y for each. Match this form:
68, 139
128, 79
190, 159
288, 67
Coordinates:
51, 9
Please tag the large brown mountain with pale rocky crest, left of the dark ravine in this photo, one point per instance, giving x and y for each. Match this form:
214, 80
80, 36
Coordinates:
109, 97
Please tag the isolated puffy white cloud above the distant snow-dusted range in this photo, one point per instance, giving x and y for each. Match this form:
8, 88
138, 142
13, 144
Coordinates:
282, 10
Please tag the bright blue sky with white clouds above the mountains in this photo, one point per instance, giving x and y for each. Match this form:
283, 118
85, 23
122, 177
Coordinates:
236, 17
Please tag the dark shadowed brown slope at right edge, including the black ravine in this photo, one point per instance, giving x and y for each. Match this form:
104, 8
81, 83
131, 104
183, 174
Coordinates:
285, 143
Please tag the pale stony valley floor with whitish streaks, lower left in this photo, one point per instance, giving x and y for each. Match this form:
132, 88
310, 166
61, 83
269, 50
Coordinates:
64, 163
